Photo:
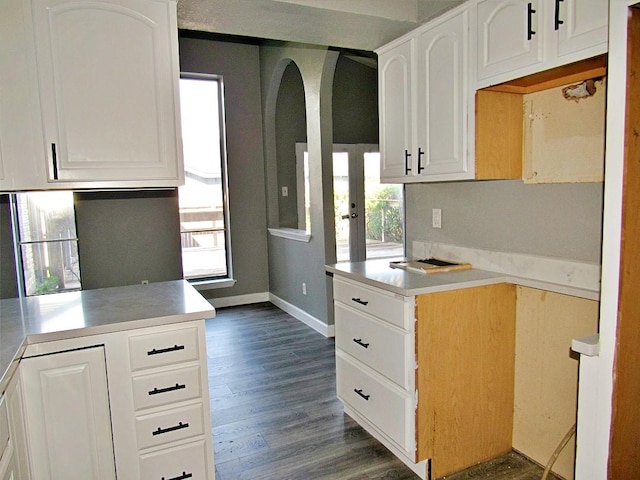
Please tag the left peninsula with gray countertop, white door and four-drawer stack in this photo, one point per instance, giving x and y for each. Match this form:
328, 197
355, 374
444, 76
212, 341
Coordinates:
134, 358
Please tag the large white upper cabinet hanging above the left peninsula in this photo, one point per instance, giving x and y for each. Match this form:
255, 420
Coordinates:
89, 94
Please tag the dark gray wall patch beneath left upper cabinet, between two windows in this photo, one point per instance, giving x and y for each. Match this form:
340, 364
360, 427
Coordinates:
127, 237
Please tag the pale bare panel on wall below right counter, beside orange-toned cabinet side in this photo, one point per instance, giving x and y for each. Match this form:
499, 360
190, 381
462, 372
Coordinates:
546, 372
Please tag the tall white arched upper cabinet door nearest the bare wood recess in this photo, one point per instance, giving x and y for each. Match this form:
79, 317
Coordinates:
443, 97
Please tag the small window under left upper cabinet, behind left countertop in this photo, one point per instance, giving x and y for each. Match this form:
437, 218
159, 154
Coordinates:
46, 242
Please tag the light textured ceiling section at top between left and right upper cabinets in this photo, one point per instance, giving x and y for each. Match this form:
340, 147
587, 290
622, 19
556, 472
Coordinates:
355, 24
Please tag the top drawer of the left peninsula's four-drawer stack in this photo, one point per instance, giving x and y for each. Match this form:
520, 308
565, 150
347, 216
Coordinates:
163, 348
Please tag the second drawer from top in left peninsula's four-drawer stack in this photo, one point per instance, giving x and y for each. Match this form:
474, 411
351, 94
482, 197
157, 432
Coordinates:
166, 387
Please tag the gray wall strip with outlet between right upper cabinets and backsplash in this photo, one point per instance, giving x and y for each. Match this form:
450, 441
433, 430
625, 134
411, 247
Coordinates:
562, 220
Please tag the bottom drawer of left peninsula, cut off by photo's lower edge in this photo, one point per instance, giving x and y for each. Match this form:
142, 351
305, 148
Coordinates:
176, 463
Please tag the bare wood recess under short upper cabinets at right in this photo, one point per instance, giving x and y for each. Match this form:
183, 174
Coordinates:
528, 128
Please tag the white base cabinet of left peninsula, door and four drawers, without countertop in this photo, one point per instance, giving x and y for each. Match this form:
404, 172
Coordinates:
131, 405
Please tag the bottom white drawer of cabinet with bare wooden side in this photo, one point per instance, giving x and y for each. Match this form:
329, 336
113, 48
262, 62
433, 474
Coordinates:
387, 407
